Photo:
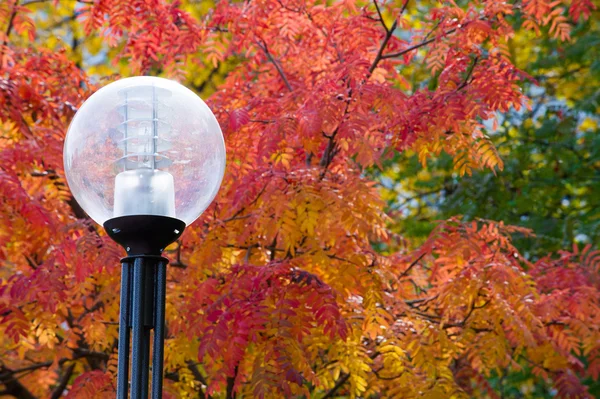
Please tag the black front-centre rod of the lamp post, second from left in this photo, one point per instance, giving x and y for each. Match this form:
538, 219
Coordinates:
137, 329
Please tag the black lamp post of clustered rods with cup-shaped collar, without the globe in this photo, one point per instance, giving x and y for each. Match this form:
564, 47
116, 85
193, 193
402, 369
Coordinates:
143, 293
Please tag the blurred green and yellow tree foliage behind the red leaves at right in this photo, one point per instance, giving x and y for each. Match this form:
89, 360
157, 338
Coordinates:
549, 155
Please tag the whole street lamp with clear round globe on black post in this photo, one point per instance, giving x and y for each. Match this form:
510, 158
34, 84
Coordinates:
144, 157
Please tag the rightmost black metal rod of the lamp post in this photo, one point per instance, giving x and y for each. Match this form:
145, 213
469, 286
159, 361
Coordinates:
160, 290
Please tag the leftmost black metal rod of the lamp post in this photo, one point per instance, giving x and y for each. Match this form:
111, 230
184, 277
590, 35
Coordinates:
123, 362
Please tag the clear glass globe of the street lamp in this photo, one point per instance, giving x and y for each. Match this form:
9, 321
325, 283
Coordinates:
144, 146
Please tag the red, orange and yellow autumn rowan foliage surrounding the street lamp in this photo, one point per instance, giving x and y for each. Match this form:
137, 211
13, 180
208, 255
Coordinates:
292, 284
